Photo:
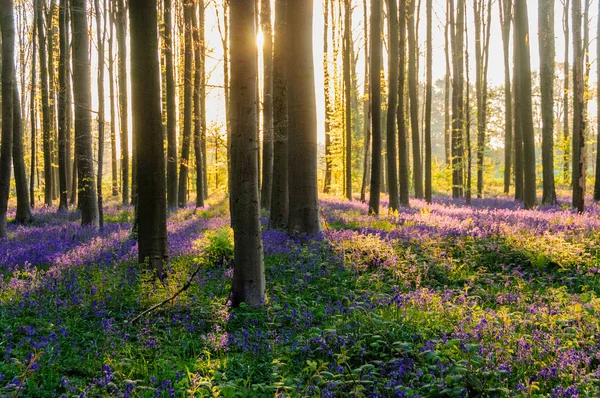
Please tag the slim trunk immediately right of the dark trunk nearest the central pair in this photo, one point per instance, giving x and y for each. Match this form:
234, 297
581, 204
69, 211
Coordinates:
392, 171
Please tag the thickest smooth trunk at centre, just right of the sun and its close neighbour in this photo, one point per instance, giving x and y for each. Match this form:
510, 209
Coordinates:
302, 111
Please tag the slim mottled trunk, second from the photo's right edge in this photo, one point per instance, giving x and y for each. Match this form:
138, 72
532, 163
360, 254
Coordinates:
579, 122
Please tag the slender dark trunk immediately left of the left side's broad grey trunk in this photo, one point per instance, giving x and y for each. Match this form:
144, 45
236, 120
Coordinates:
62, 106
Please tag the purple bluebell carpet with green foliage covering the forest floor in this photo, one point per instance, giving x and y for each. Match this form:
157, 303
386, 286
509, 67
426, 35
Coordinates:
437, 300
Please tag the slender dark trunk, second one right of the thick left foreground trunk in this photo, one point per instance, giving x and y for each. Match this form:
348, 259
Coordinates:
187, 104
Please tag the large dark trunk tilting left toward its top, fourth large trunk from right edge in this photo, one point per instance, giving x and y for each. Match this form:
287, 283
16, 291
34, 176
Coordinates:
526, 114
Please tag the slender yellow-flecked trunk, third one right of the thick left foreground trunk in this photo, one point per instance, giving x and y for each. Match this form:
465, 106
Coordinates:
199, 98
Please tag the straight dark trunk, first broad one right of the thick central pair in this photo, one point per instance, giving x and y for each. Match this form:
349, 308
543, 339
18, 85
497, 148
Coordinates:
375, 106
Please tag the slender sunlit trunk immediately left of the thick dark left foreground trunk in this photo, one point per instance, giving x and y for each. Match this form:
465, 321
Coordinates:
121, 24
